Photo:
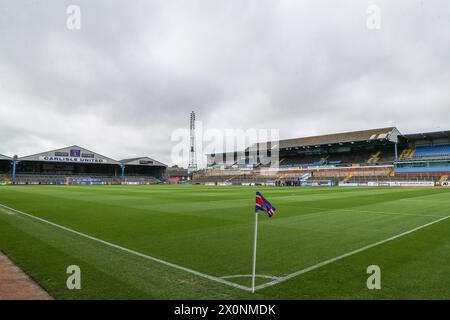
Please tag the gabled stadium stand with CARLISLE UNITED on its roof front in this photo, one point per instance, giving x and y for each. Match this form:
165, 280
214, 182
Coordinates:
76, 165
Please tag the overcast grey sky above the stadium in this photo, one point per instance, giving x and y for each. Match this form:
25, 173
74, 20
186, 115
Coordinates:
130, 76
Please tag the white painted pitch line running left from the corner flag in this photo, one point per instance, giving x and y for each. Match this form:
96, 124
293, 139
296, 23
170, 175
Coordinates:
172, 265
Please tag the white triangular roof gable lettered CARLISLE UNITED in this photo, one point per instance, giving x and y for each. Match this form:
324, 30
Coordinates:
71, 154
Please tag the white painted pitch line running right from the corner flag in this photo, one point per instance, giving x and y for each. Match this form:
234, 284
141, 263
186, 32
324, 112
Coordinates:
326, 262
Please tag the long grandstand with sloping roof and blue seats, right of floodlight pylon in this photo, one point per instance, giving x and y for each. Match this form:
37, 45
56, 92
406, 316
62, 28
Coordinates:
358, 157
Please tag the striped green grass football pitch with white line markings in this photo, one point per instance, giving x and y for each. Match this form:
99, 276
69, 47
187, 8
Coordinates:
195, 242
